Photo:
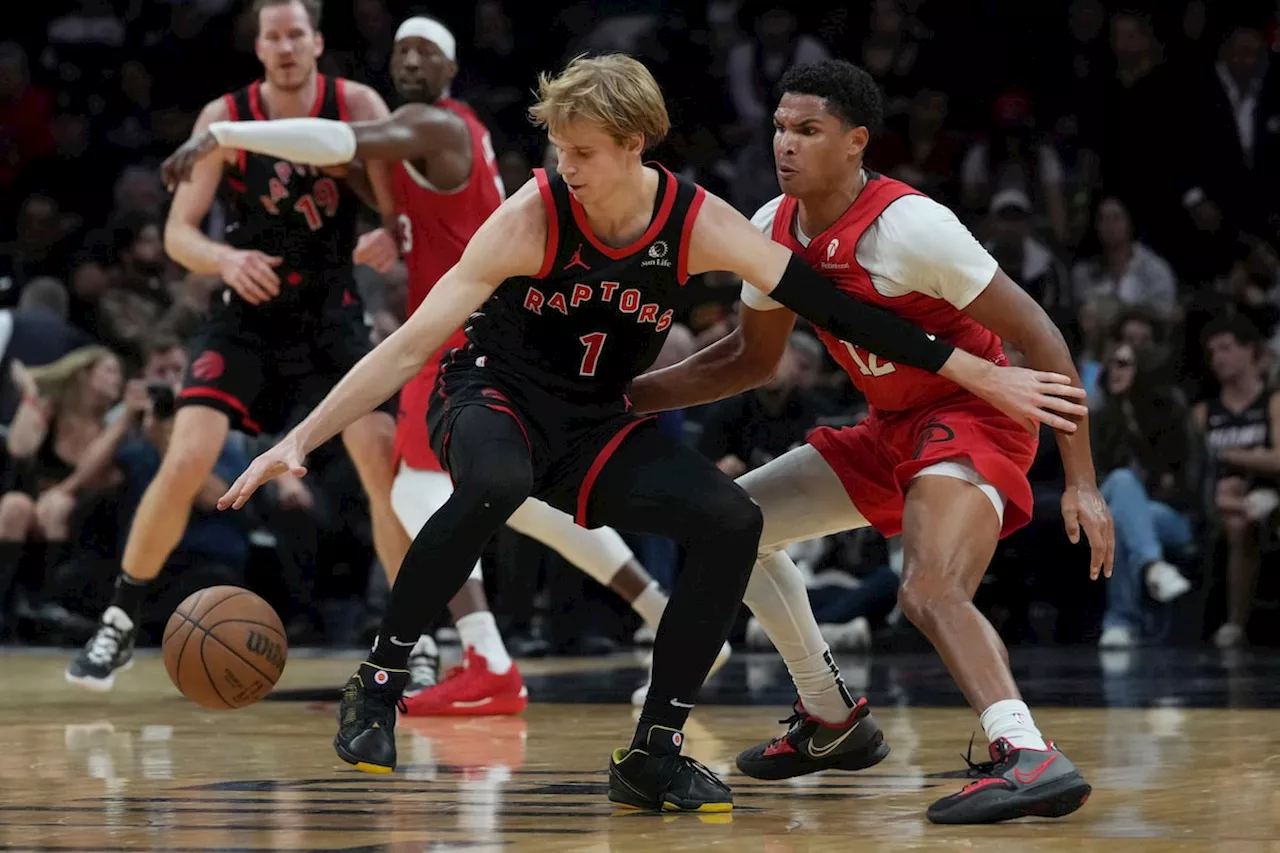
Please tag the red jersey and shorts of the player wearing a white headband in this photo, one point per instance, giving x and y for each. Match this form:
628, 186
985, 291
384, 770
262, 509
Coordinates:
435, 229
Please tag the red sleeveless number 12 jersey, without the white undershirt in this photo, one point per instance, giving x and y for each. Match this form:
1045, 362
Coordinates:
834, 253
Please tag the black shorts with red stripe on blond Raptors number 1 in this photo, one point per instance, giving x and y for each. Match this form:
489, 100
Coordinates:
569, 443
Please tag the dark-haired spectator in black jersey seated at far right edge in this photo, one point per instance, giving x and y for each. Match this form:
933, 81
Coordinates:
1242, 430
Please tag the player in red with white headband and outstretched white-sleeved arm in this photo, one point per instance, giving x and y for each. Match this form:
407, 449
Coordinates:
446, 185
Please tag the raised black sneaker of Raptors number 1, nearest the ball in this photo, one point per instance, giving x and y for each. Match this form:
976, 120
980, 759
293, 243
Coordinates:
367, 719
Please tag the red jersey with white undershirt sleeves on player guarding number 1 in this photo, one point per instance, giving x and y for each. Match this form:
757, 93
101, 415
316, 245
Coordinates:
898, 249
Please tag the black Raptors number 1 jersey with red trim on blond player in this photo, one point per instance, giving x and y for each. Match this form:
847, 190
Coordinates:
595, 317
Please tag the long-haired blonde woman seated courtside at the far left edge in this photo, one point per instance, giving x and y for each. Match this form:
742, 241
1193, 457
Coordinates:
62, 413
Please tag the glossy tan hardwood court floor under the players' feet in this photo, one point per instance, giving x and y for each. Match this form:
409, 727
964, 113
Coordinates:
143, 769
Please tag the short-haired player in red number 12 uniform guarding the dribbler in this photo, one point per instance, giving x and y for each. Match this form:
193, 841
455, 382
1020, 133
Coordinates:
932, 462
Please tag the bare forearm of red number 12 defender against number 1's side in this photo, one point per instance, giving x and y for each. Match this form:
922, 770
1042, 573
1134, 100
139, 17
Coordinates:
724, 370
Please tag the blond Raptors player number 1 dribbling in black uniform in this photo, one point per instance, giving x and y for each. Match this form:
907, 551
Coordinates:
570, 289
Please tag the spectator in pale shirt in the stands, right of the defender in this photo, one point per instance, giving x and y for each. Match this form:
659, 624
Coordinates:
1124, 268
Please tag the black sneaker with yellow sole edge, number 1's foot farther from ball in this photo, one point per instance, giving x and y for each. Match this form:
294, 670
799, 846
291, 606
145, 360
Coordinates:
660, 779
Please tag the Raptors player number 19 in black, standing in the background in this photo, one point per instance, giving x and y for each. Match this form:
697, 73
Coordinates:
285, 326
